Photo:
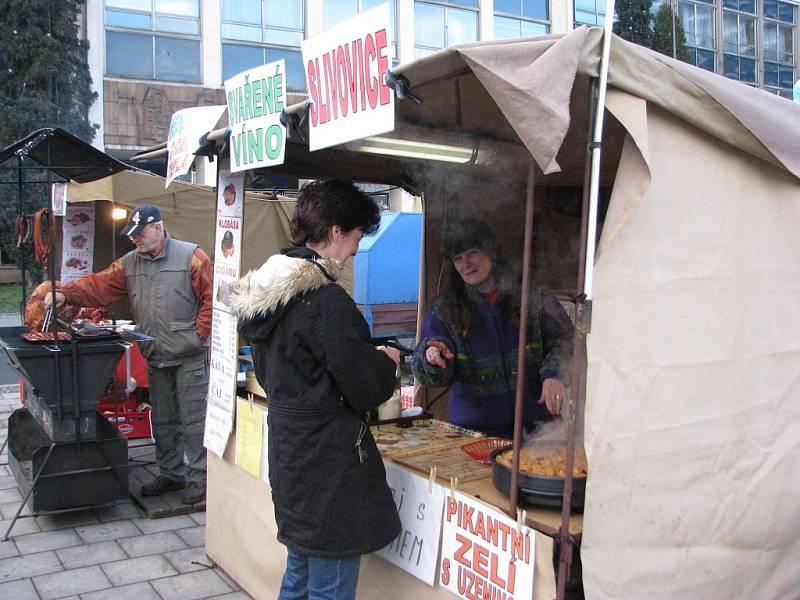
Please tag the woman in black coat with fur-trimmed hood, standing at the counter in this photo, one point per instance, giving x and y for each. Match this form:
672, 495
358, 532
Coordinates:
313, 354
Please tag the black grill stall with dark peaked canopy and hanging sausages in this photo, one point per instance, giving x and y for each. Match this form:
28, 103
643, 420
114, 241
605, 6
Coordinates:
61, 452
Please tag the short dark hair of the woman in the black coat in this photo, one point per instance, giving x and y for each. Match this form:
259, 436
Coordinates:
328, 202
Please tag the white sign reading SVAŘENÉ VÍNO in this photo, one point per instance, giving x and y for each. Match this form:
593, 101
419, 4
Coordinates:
256, 99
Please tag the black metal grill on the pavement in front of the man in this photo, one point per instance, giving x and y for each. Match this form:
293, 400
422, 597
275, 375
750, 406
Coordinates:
61, 452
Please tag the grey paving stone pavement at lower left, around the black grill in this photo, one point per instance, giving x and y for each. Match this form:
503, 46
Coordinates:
108, 553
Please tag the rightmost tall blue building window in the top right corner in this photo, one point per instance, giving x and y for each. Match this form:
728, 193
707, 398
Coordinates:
778, 51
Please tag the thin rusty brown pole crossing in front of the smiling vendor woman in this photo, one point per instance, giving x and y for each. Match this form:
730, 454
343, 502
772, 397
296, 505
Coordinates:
523, 336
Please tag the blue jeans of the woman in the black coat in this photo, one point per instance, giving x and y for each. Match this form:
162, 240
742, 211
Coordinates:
316, 578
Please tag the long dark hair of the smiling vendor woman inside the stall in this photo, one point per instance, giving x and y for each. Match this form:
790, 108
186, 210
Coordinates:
467, 235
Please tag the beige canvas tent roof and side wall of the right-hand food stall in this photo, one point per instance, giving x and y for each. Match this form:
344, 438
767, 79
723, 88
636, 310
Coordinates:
692, 426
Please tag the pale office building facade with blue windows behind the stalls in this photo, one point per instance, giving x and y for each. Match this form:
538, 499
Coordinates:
149, 58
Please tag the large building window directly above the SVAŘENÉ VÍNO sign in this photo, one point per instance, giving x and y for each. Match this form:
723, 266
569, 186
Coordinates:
255, 33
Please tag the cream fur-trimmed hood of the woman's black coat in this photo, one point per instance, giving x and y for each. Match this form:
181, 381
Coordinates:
265, 292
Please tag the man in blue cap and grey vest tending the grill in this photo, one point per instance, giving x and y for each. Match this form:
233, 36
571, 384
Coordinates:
168, 285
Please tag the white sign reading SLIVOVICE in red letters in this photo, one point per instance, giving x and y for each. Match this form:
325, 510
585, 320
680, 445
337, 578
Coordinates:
345, 68
